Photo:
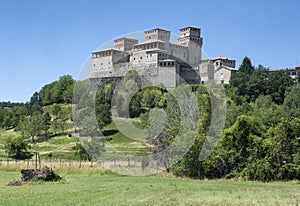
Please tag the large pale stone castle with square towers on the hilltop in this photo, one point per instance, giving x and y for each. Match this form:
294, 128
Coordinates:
159, 60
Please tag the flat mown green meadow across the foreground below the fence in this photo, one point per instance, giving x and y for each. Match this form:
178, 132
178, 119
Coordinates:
82, 188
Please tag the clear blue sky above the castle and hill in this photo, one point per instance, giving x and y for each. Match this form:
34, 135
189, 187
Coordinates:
43, 40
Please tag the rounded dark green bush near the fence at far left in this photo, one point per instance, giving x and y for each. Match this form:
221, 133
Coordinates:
16, 147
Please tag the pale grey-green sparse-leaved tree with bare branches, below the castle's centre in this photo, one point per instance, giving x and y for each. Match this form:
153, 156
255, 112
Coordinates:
172, 129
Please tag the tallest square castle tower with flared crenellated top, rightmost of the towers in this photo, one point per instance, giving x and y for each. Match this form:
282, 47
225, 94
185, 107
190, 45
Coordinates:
191, 38
